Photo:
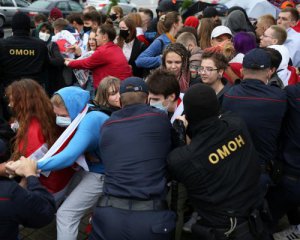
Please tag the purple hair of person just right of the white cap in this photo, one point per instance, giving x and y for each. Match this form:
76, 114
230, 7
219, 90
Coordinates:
243, 42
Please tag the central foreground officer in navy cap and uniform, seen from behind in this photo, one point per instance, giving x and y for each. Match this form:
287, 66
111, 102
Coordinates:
134, 145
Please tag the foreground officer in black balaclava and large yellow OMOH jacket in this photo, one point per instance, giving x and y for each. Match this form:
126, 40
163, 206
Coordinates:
219, 168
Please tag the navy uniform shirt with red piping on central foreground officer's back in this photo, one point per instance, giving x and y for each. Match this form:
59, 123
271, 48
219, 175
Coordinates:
134, 145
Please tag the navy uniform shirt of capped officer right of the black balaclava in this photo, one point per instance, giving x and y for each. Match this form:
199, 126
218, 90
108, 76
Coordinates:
262, 107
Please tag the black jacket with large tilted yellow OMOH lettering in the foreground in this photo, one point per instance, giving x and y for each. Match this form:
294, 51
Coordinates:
219, 168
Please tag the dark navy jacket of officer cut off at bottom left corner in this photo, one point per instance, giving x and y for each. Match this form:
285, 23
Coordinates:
33, 207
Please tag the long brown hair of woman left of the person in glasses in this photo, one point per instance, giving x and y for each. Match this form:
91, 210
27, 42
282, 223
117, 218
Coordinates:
184, 76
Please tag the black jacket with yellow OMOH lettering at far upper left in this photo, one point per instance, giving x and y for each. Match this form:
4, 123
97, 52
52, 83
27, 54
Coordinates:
22, 56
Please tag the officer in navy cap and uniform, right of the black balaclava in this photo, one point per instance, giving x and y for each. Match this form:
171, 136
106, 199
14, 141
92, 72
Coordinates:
261, 106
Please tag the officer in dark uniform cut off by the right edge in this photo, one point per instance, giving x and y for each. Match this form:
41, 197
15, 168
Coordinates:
285, 197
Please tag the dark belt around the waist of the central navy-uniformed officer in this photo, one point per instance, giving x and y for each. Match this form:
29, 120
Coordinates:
132, 204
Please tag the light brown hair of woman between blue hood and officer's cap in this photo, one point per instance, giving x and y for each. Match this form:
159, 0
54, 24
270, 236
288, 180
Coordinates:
102, 94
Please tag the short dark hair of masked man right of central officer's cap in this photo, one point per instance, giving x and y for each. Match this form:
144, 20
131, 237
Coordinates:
162, 81
